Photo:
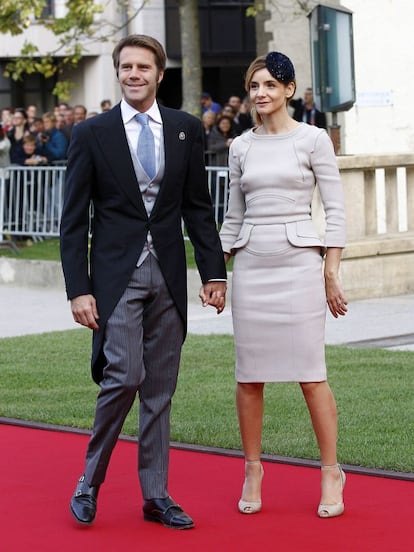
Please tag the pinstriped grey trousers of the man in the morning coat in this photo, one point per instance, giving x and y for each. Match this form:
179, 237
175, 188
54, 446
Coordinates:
142, 347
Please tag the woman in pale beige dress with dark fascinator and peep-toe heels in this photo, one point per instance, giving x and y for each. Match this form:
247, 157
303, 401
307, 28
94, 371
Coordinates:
279, 291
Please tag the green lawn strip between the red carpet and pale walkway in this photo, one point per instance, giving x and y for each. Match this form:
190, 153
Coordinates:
45, 378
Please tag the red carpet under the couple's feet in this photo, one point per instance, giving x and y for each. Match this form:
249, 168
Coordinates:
39, 469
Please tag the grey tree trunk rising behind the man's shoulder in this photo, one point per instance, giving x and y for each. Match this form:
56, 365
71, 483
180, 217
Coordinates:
191, 57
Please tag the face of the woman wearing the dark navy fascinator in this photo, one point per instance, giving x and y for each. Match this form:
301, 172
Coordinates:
267, 94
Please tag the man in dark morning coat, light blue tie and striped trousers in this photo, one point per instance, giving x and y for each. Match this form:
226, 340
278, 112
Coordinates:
134, 297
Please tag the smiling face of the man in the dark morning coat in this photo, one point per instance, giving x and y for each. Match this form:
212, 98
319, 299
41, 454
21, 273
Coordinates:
138, 76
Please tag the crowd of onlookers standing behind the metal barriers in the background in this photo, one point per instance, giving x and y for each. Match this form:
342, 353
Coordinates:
28, 138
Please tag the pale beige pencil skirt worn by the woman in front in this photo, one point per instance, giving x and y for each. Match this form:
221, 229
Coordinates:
279, 309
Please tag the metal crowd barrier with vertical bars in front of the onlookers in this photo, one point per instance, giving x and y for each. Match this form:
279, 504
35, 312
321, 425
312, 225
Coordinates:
31, 199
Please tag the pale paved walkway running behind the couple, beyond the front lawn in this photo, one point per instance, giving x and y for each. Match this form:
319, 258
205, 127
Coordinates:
385, 322
